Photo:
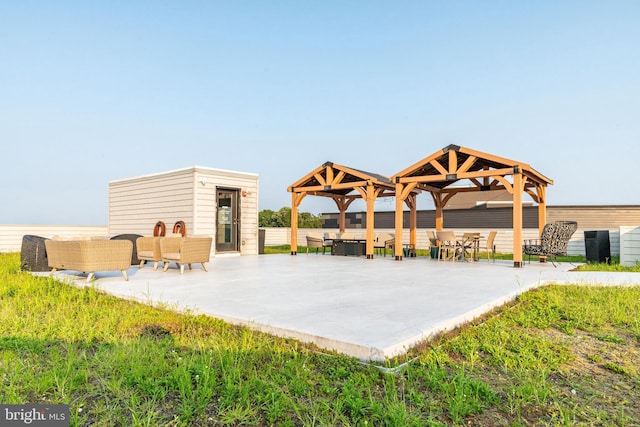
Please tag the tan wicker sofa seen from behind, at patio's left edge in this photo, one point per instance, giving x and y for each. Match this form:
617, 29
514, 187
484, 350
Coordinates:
89, 255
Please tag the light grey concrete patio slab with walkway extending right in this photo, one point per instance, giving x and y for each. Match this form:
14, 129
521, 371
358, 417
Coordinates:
369, 309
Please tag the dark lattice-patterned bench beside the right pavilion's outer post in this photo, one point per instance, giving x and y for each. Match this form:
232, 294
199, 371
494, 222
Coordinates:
553, 241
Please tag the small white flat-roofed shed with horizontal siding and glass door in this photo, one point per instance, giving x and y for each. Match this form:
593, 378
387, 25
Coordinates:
219, 203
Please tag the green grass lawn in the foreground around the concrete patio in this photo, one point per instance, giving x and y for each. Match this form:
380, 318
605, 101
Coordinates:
560, 355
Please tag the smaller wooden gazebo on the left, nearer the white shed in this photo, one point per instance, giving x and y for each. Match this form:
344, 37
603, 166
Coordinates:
343, 185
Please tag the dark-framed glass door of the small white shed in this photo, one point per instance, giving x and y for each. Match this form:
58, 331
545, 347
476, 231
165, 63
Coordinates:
228, 228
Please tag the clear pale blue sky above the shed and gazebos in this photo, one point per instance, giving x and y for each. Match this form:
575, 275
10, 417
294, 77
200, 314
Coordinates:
92, 92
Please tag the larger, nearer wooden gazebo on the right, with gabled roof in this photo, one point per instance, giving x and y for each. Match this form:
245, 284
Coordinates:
456, 169
